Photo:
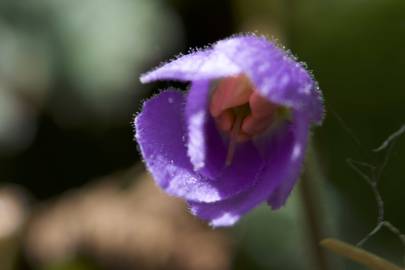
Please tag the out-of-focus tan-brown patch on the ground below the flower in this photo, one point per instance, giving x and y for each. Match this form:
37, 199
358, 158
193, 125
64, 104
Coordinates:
135, 228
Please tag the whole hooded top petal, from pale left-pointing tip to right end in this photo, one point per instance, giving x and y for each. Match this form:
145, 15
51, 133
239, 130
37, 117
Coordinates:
275, 73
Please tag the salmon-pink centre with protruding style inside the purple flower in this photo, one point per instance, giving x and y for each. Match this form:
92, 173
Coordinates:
239, 111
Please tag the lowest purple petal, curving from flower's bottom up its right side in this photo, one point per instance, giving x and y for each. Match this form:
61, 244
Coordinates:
284, 164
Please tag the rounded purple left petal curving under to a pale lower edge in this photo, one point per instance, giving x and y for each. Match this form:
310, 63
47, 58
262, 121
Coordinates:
161, 134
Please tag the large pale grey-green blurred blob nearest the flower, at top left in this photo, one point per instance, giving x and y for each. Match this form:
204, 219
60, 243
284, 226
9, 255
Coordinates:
105, 45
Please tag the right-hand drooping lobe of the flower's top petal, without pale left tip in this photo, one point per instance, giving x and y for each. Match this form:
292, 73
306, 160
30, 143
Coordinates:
275, 73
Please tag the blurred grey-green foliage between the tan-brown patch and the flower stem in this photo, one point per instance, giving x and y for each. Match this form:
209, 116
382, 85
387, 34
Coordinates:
266, 247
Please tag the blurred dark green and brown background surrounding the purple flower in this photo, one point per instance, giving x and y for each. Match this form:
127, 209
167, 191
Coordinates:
69, 90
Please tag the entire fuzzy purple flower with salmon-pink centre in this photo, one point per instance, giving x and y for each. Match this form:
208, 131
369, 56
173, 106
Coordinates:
238, 137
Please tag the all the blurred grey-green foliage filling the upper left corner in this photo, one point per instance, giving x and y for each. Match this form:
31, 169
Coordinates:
78, 59
